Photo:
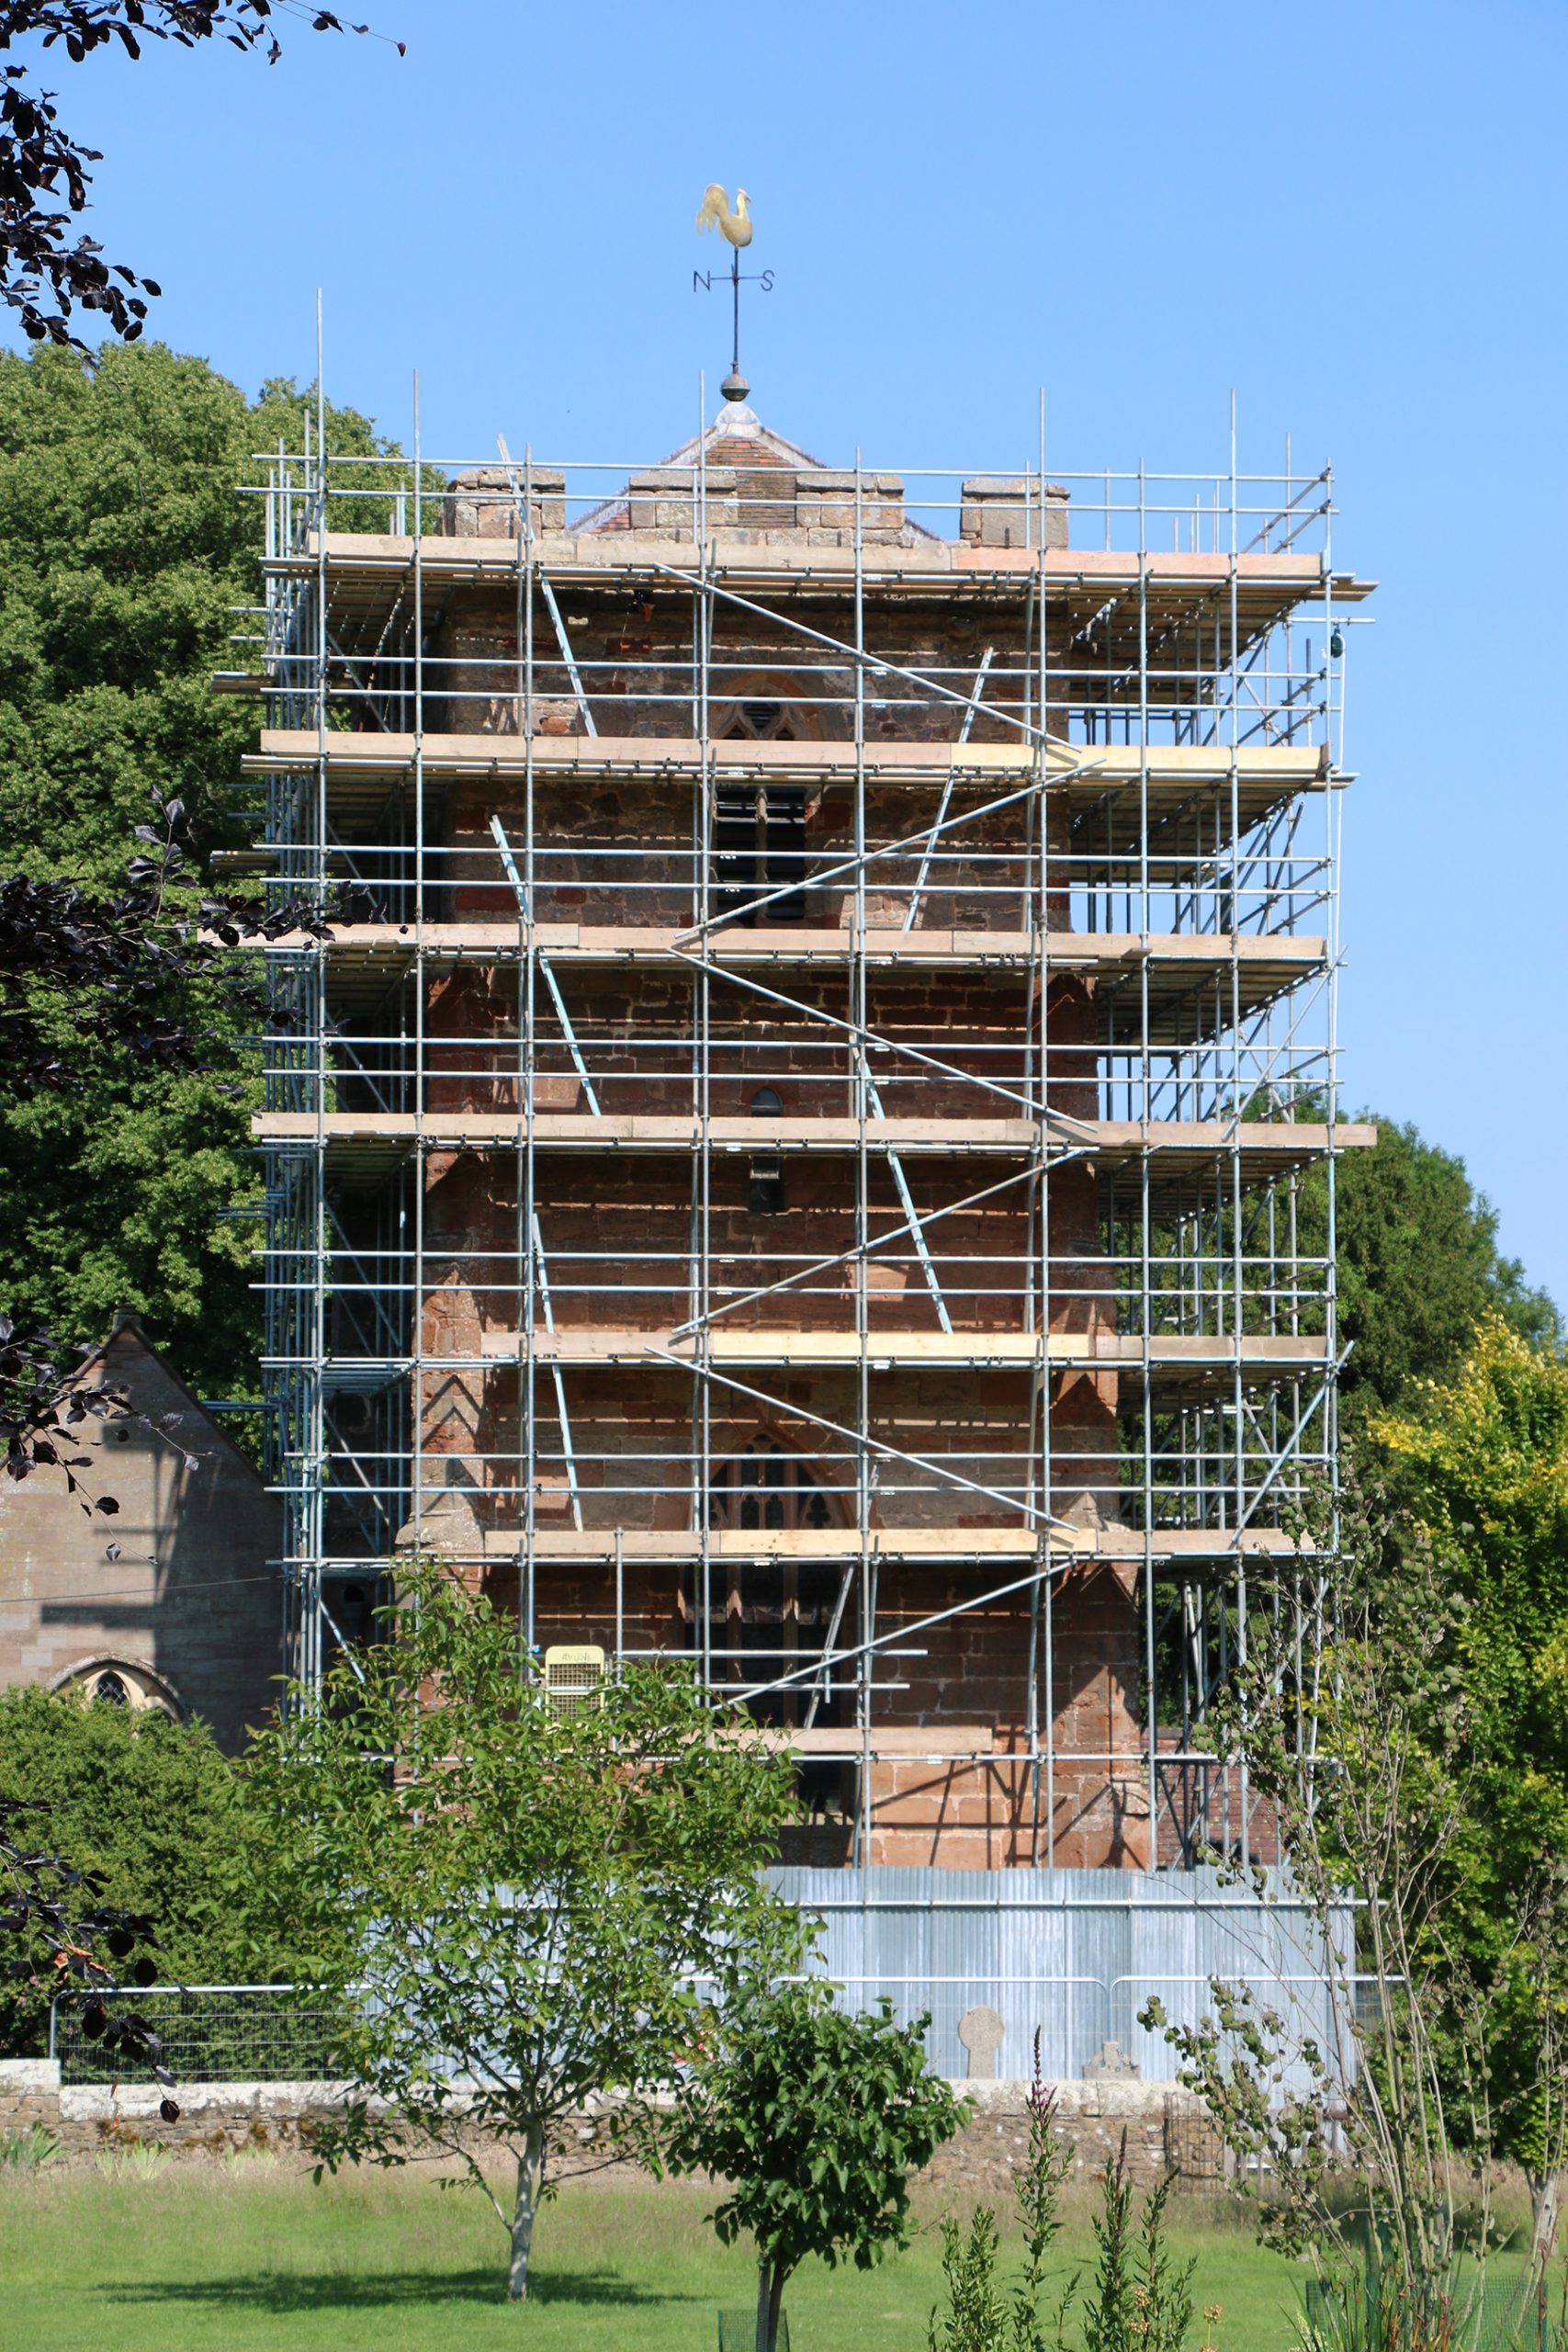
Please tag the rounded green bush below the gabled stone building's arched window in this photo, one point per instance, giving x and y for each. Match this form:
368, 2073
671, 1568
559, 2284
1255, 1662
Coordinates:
161, 1819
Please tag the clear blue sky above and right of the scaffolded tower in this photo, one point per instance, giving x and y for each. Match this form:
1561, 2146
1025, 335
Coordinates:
1351, 215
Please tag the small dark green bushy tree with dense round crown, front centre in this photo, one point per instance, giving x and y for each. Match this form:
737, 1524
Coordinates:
817, 2120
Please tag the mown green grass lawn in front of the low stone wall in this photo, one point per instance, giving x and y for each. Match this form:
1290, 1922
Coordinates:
257, 2257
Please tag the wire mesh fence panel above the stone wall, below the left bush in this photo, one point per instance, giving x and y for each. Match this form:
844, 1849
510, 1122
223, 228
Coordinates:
213, 2033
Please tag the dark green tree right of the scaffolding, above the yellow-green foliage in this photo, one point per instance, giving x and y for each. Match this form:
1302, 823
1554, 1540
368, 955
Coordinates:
1419, 1267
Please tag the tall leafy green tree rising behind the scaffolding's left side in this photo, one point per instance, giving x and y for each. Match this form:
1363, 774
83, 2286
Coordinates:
126, 547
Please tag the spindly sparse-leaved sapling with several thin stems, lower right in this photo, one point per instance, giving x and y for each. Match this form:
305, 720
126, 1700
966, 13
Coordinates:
1362, 1742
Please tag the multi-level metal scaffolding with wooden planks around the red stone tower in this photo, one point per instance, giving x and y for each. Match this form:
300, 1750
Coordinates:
826, 1140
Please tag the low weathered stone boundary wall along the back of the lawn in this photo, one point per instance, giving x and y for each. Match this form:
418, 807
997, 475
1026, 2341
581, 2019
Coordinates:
1162, 2127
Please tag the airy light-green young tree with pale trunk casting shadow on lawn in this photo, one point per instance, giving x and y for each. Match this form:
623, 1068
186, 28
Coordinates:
537, 1904
